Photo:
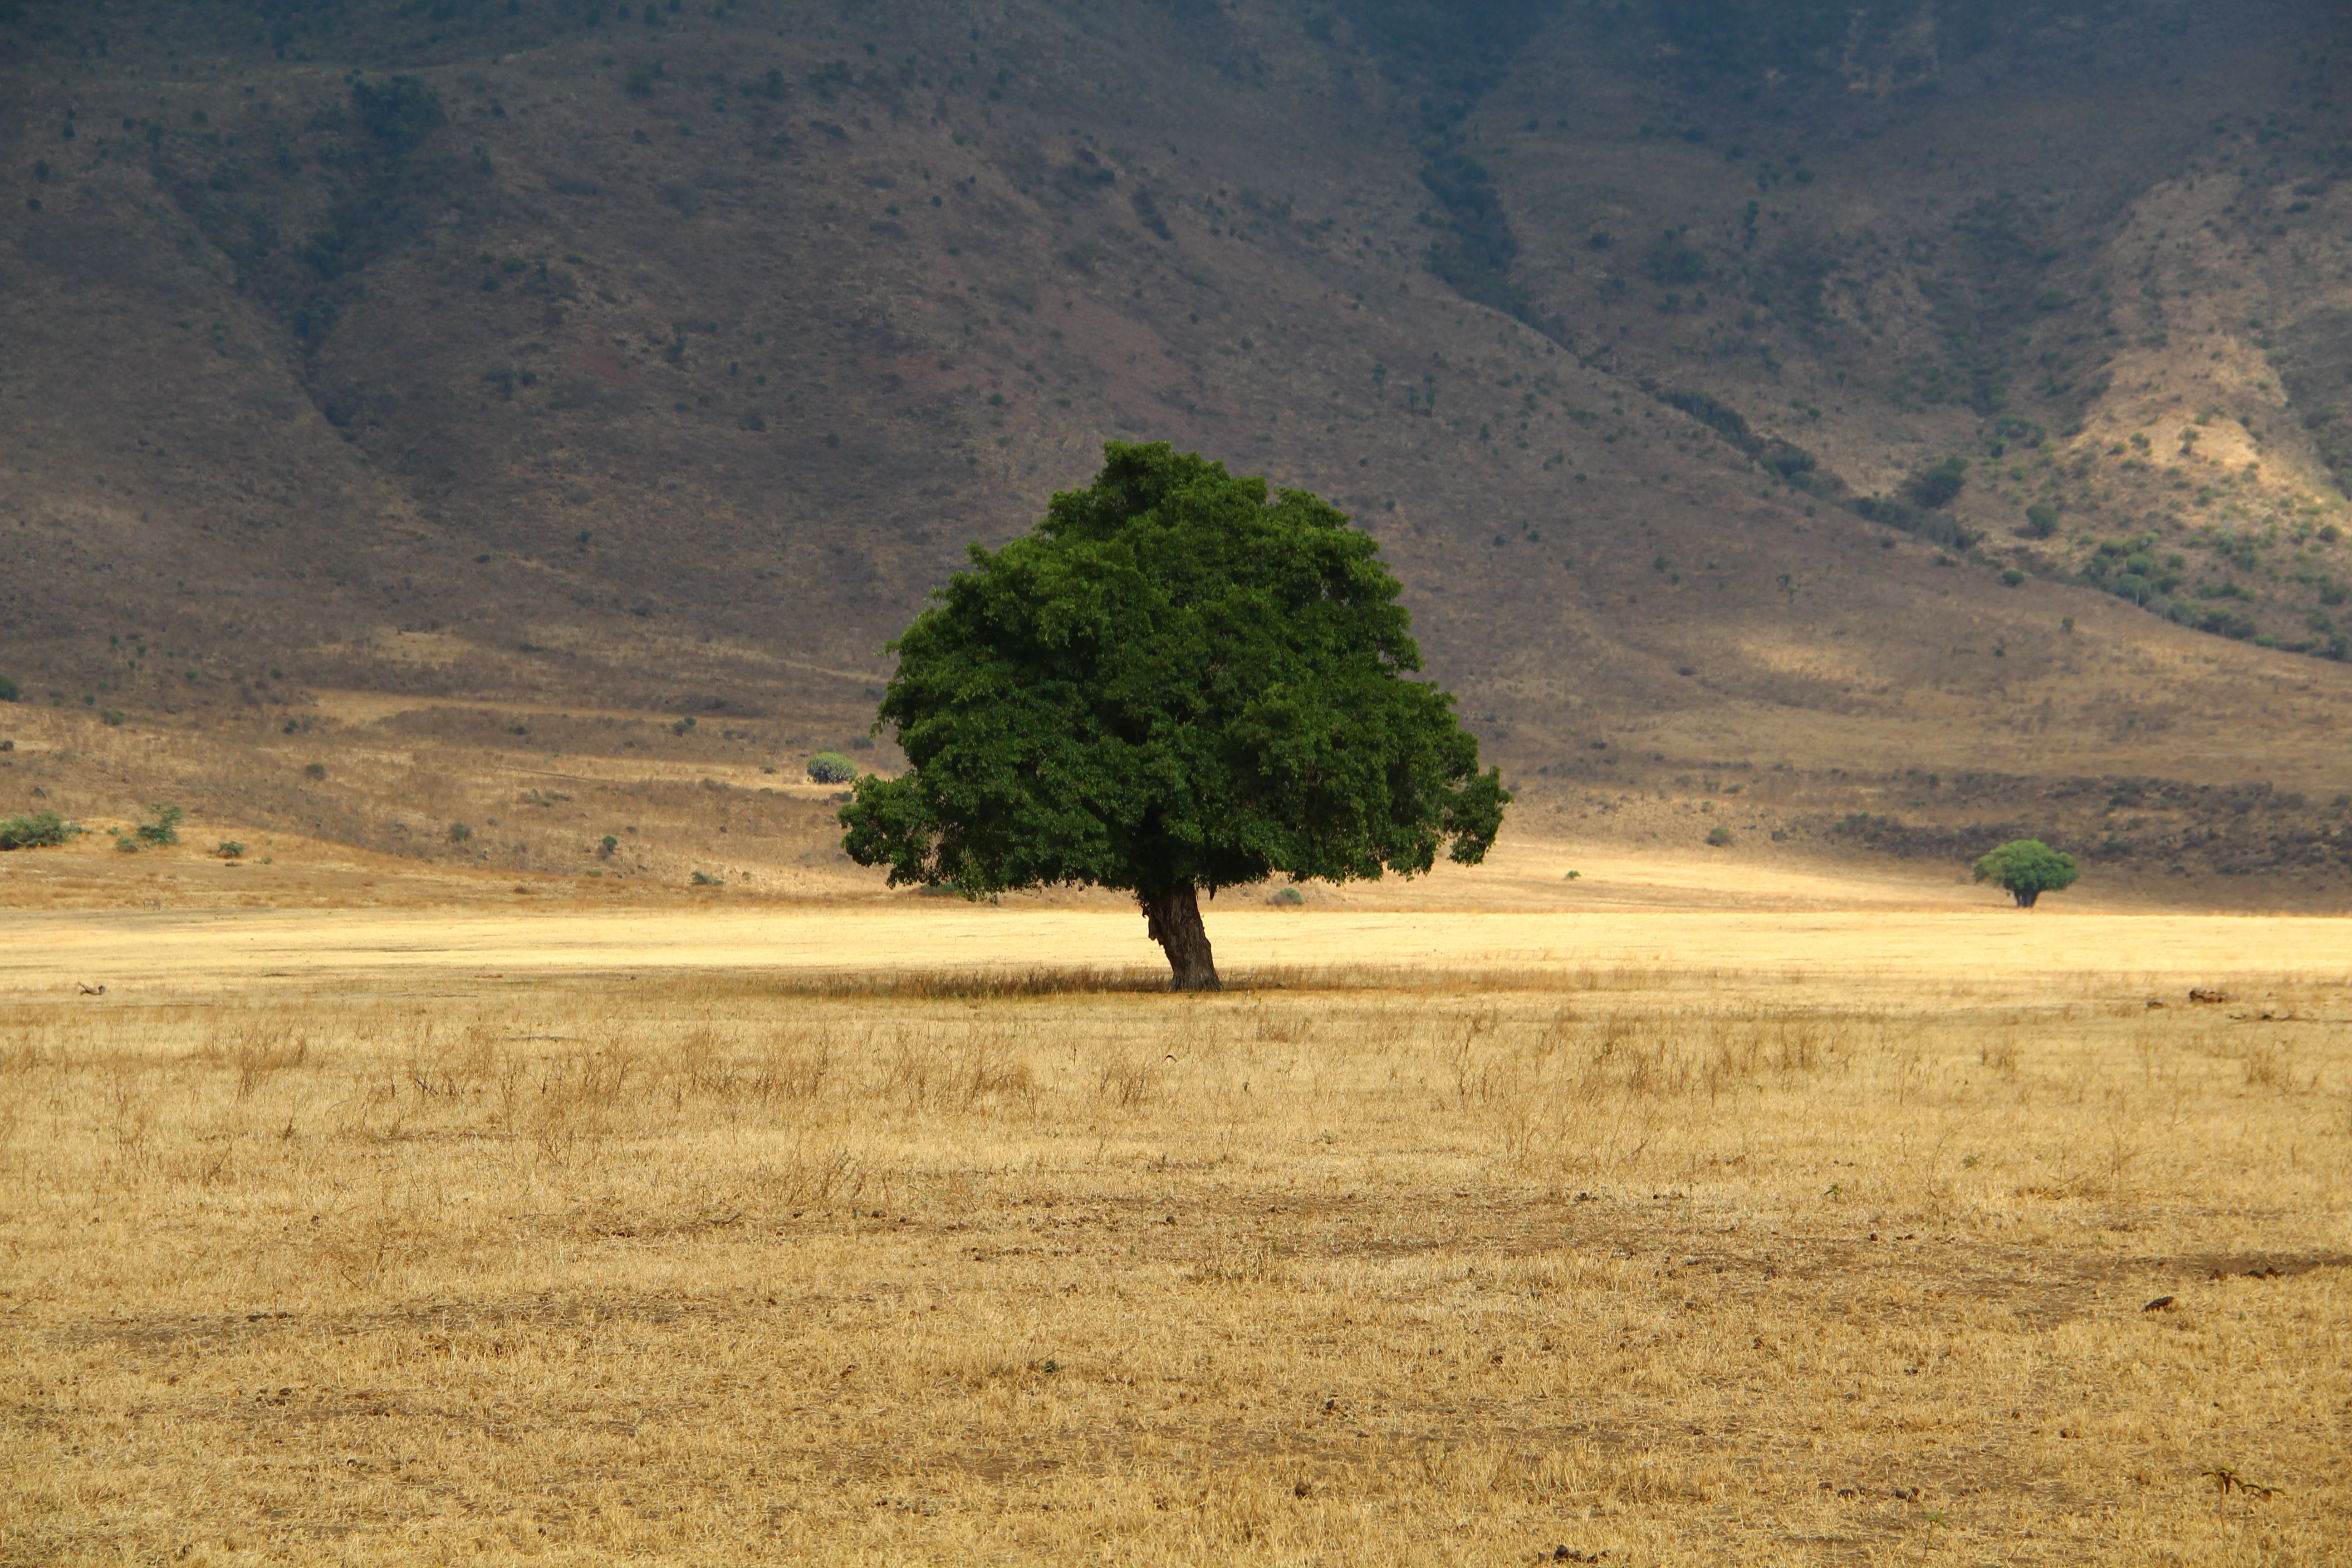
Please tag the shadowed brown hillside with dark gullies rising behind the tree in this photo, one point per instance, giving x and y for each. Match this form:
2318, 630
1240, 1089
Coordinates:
1871, 427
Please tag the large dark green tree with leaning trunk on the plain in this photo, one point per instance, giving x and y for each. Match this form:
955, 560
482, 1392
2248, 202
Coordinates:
1175, 683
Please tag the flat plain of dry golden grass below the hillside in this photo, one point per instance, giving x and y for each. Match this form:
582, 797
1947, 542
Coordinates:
1666, 1240
